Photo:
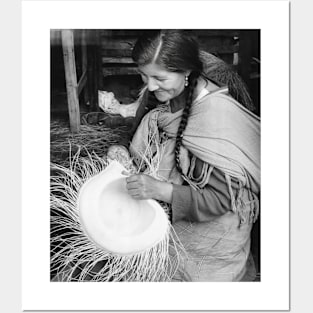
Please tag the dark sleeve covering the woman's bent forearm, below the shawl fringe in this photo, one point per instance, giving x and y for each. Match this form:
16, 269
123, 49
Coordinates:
201, 205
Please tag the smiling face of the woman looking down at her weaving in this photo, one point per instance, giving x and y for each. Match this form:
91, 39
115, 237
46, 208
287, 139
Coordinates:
165, 85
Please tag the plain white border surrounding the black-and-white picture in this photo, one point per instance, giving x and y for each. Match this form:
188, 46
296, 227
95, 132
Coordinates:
272, 17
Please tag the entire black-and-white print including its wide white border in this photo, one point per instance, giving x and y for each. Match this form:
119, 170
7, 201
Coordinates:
156, 139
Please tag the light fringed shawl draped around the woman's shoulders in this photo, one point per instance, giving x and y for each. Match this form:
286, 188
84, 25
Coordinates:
220, 132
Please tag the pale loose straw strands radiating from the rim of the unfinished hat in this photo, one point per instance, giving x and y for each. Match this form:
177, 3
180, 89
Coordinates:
74, 257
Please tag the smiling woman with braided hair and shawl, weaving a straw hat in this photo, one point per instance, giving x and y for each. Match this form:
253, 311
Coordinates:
207, 148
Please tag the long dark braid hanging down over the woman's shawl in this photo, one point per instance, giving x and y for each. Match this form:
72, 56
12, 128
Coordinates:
184, 119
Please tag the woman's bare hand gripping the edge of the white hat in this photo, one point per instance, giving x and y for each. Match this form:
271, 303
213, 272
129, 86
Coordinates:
142, 186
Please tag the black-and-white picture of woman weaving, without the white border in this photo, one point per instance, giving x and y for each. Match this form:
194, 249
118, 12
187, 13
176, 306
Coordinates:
155, 155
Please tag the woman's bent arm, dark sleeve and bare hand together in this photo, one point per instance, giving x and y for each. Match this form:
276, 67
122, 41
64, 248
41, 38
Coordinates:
187, 203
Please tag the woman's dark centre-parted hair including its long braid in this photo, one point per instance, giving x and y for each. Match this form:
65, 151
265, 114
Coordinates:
176, 52
